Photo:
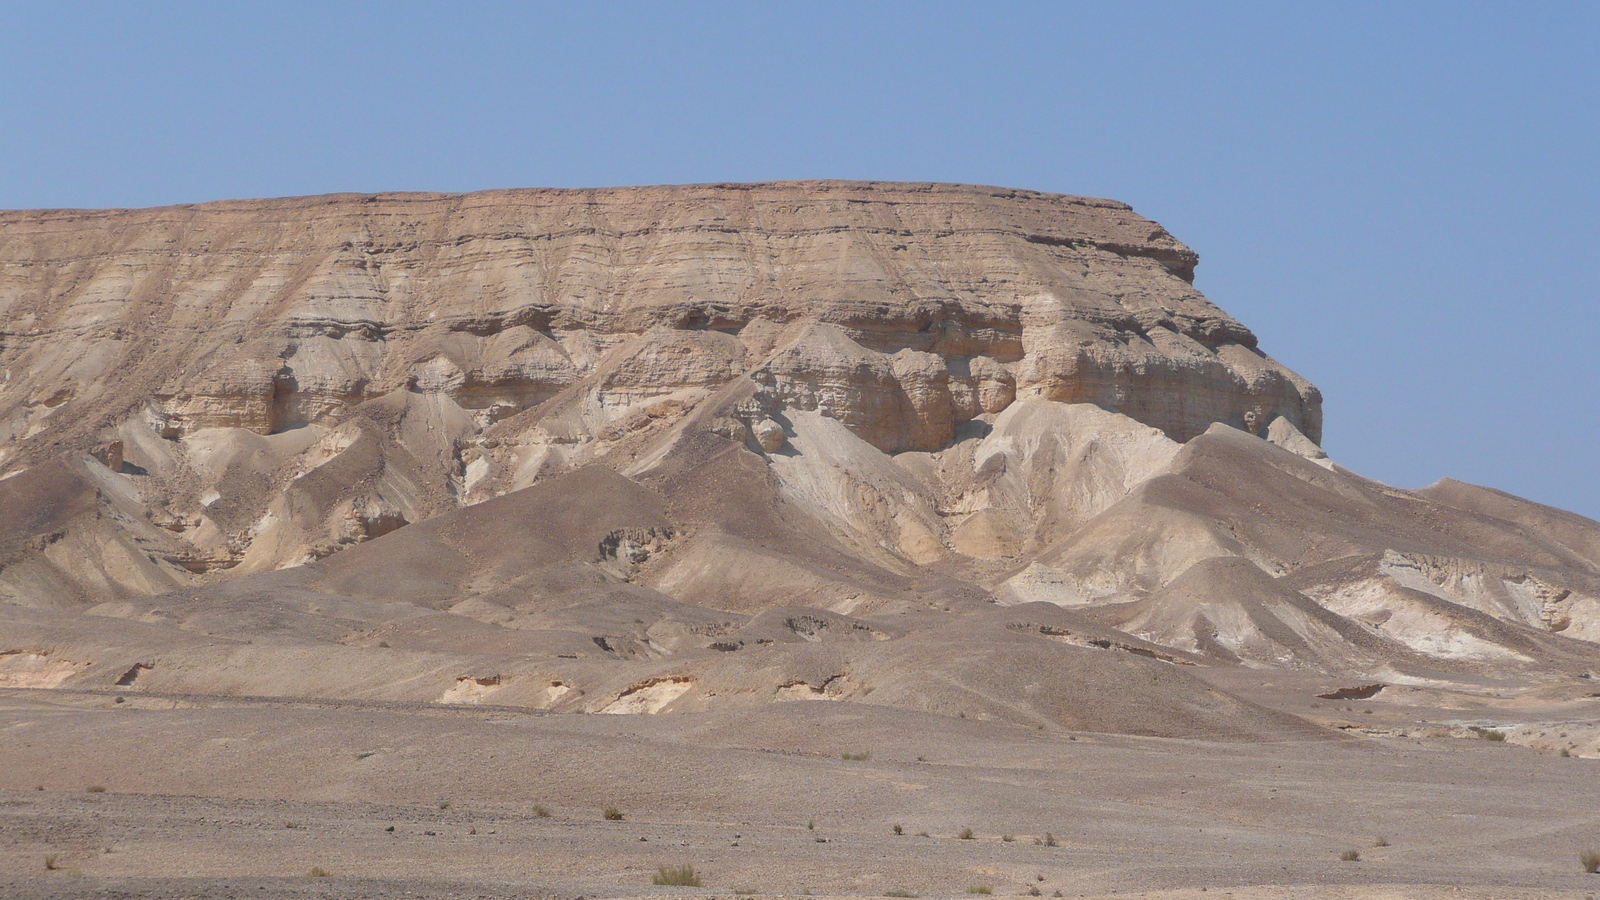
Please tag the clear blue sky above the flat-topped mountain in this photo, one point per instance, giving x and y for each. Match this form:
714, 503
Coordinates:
1402, 199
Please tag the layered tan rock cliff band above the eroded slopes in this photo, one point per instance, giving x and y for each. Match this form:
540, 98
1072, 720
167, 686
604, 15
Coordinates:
902, 310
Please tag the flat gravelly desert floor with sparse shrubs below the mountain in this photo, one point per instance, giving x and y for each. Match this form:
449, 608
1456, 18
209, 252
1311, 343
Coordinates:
194, 797
